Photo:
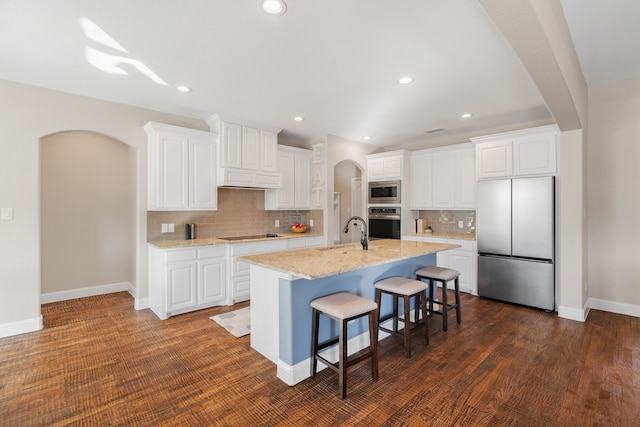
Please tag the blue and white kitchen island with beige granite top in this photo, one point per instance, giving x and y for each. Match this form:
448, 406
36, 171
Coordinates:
284, 283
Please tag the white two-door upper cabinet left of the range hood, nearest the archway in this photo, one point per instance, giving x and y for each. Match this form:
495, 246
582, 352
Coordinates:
181, 168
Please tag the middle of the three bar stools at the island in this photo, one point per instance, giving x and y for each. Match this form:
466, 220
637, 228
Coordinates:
405, 288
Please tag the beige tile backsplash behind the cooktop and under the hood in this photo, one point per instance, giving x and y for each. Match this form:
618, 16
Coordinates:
240, 212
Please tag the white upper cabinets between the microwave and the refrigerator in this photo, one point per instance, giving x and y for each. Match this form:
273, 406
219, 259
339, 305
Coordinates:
443, 178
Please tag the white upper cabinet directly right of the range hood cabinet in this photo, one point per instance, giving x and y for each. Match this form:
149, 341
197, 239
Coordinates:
295, 194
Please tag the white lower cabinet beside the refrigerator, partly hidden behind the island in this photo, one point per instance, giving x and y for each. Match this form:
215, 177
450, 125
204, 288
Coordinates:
463, 259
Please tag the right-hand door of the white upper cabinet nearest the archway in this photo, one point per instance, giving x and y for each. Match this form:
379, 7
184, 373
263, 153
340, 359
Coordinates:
202, 184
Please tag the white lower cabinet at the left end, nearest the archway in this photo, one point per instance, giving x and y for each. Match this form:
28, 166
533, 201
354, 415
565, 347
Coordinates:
186, 279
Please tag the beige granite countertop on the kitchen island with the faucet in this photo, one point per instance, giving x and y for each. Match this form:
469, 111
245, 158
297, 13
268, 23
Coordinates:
314, 263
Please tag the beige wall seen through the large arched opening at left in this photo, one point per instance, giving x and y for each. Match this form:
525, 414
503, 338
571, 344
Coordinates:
87, 211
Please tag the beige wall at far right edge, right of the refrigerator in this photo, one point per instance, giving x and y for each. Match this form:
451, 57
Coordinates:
613, 197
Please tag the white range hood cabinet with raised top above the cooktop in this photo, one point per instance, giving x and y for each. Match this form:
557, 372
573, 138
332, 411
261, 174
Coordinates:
248, 155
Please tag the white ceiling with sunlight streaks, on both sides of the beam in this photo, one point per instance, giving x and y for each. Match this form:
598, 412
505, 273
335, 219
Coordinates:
334, 62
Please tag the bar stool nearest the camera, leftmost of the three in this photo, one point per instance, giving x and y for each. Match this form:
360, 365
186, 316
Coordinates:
344, 307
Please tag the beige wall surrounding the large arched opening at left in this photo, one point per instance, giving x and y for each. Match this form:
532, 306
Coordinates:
27, 114
